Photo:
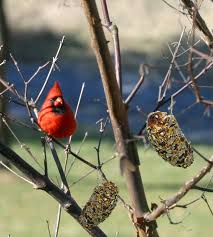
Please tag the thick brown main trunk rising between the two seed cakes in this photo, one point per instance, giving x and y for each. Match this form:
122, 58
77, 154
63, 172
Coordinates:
127, 151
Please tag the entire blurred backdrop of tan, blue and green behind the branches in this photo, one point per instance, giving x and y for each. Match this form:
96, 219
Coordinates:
31, 31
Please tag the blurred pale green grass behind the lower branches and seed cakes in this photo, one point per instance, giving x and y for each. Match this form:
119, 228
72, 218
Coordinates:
24, 211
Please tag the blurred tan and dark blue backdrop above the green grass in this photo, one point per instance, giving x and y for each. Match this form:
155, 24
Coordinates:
145, 27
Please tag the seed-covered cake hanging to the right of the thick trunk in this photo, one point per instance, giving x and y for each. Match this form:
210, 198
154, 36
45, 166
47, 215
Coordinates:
168, 140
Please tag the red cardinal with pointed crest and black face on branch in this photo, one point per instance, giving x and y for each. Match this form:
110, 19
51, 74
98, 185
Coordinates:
56, 117
